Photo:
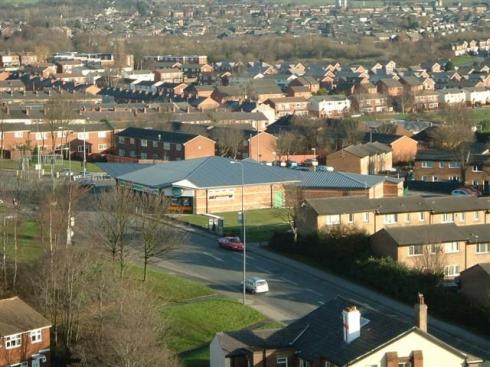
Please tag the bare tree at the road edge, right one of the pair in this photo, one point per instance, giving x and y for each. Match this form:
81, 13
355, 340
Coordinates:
158, 237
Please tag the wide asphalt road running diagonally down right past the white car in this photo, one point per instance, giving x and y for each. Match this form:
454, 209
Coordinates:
295, 289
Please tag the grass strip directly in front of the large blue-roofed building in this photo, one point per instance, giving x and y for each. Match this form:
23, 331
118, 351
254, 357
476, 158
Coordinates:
260, 223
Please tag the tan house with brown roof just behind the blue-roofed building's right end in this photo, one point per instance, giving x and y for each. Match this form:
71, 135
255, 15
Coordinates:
368, 158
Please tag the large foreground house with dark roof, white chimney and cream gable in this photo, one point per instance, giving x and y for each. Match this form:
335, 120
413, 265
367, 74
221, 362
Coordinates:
341, 333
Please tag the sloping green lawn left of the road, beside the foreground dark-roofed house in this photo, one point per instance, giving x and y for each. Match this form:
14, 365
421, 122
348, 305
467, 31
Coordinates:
194, 313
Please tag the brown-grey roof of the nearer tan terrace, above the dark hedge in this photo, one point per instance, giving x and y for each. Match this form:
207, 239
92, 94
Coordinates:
421, 235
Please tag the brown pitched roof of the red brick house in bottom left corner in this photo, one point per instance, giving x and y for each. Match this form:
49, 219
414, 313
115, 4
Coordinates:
16, 316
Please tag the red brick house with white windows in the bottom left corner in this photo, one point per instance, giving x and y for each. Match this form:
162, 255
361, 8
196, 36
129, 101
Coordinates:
24, 335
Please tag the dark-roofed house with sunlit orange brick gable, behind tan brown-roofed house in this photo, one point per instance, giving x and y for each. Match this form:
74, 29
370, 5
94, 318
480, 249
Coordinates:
403, 147
